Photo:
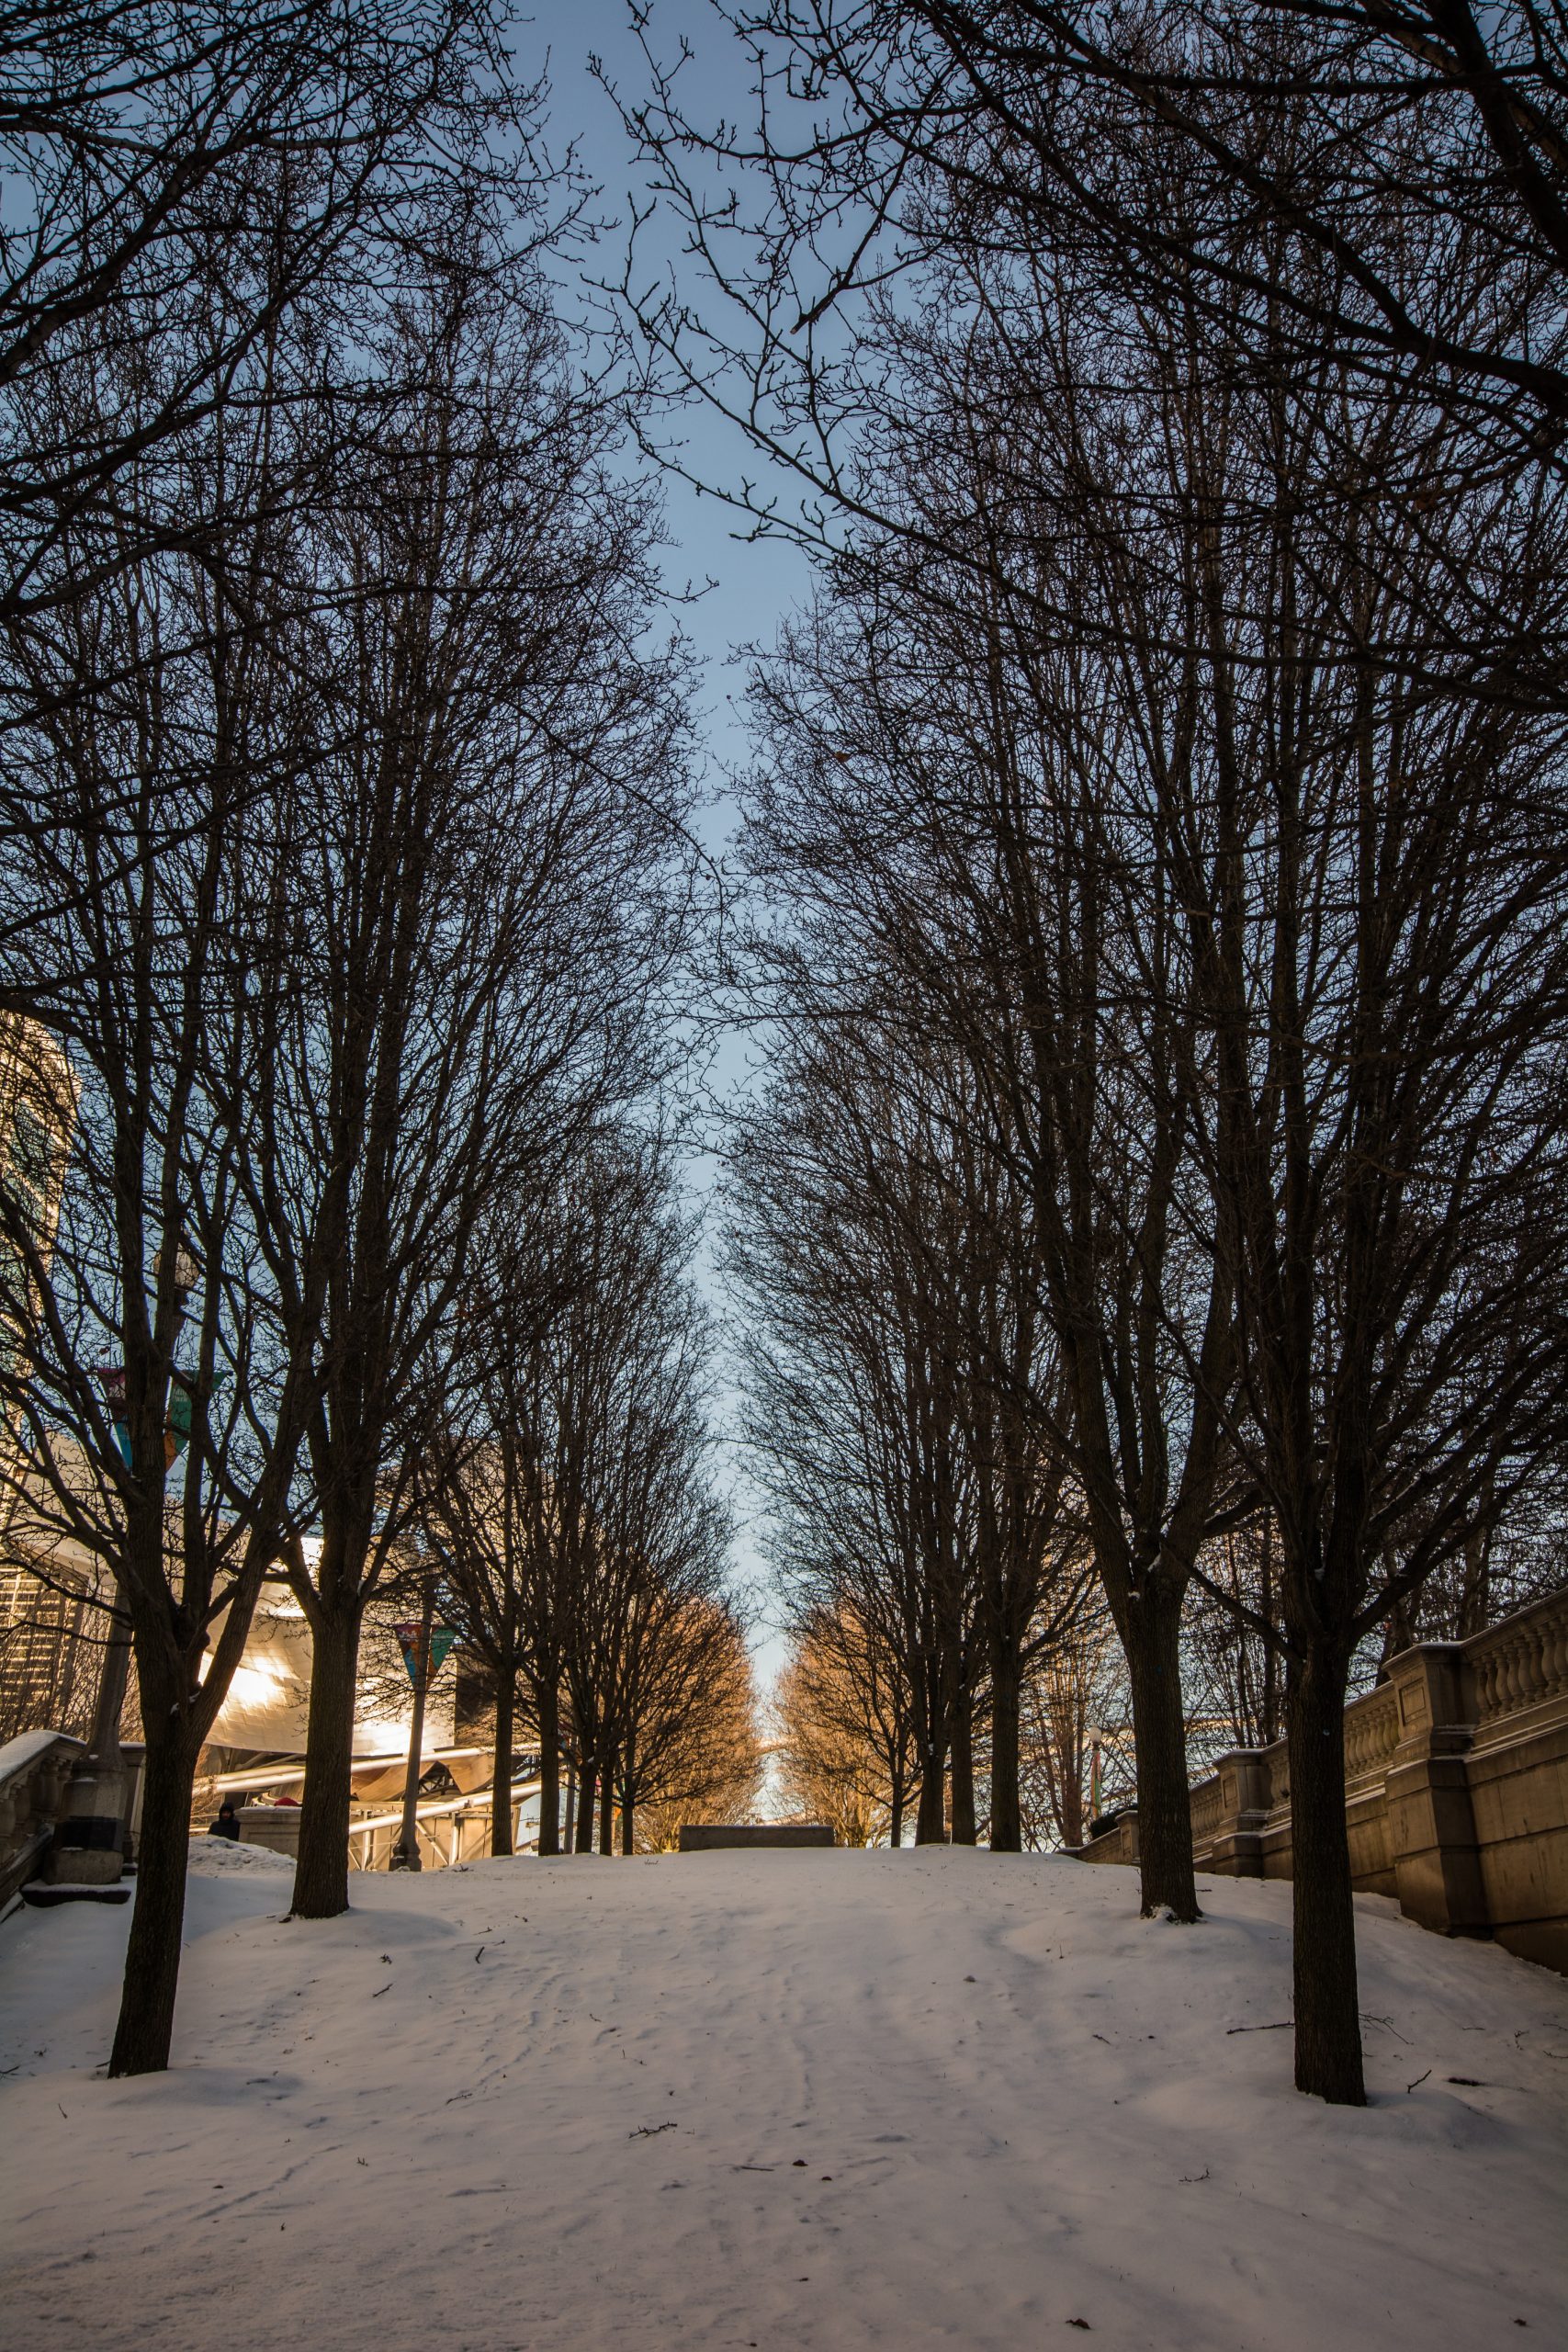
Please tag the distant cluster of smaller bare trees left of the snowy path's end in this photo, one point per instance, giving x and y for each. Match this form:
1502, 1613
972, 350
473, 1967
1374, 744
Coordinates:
570, 1514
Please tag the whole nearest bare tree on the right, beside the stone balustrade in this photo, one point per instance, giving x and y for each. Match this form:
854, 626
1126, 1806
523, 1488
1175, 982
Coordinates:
1388, 918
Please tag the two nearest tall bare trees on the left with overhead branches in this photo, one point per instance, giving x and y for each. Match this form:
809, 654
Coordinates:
342, 846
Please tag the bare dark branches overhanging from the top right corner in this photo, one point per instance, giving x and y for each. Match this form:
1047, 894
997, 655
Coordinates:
1036, 119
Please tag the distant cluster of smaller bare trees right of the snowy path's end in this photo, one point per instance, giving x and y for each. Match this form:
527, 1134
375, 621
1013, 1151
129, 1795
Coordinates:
923, 1530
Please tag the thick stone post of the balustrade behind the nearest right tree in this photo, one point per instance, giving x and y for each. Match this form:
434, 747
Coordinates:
1433, 1829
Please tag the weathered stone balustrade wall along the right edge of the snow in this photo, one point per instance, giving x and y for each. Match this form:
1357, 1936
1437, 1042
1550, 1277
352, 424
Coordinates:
1456, 1791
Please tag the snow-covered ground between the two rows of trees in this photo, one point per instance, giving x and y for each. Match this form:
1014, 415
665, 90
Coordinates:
803, 2102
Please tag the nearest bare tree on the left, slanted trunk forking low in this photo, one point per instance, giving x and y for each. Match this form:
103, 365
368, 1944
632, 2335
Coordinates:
154, 1408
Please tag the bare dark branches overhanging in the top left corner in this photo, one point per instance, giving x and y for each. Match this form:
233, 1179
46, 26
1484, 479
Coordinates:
159, 152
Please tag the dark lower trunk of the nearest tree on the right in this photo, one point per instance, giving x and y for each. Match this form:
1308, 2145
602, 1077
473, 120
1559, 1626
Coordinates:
1327, 2010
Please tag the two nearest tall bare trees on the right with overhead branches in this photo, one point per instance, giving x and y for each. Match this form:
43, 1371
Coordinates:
1162, 803
